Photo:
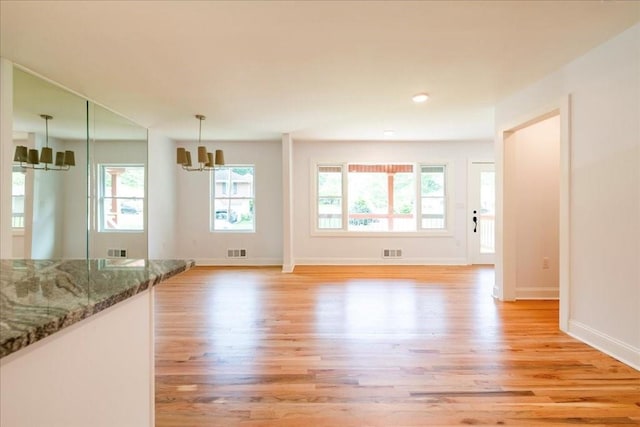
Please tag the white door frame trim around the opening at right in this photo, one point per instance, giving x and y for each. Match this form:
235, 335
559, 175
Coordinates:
505, 287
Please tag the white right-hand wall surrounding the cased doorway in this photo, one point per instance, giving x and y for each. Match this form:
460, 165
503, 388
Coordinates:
604, 289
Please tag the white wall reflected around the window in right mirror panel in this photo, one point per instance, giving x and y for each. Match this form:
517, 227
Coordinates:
109, 152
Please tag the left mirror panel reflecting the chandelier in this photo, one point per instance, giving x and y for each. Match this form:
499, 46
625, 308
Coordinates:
49, 209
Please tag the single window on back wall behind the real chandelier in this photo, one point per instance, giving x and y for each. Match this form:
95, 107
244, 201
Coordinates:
235, 211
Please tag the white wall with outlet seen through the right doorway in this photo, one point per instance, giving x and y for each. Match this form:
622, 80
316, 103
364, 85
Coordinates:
536, 183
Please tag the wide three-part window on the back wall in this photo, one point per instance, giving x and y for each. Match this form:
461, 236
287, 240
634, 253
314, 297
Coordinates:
381, 197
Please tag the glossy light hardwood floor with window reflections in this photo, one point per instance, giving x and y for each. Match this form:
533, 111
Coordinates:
373, 346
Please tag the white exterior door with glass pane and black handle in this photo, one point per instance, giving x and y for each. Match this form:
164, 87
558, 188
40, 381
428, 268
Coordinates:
481, 209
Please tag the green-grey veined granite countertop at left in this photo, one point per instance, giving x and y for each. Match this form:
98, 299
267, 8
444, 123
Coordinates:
41, 297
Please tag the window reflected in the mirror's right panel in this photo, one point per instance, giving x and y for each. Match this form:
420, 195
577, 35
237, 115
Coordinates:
121, 202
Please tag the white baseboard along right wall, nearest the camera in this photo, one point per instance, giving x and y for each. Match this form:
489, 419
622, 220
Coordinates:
613, 347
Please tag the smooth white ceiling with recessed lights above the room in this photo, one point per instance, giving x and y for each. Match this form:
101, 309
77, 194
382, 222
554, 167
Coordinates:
317, 69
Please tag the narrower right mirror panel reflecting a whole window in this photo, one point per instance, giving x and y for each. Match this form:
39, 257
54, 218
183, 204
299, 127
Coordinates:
118, 169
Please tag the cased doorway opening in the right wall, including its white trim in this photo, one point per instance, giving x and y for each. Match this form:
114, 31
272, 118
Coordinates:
532, 226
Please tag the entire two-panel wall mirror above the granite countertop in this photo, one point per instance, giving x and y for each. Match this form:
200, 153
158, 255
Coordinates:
95, 208
